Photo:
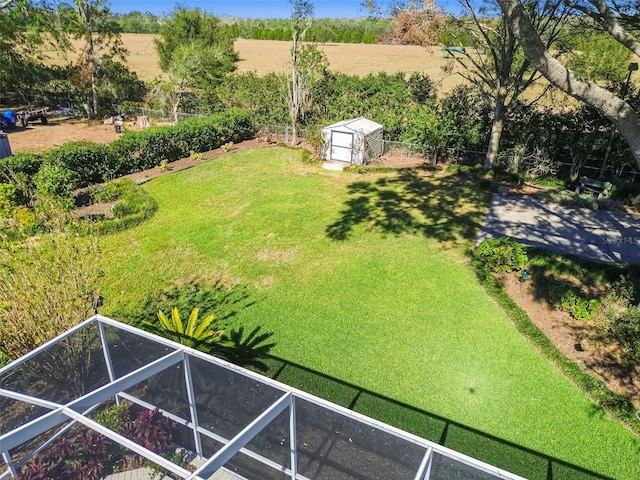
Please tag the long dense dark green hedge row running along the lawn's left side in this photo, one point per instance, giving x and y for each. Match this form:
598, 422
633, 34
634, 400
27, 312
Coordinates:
134, 151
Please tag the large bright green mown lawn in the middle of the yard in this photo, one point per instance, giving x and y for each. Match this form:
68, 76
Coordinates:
364, 278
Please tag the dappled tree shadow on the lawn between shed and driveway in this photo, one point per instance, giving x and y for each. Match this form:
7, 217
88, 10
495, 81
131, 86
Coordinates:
448, 209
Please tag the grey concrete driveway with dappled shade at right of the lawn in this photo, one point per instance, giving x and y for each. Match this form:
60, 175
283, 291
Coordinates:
591, 234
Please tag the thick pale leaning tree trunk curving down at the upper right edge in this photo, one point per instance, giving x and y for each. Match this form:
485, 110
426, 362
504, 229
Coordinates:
619, 112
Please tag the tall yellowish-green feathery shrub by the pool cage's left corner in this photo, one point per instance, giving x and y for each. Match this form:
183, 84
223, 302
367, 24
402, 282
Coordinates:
47, 285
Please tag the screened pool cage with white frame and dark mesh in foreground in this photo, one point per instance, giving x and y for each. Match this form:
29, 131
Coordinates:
228, 422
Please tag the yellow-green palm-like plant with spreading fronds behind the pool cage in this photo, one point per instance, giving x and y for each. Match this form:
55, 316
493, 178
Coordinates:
195, 333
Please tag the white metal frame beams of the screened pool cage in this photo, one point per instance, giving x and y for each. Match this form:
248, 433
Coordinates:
77, 410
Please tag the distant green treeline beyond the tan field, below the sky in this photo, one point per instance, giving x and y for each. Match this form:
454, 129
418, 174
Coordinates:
322, 30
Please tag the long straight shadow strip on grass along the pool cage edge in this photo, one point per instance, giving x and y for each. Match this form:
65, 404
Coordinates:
475, 443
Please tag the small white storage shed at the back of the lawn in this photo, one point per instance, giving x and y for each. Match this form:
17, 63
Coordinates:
357, 141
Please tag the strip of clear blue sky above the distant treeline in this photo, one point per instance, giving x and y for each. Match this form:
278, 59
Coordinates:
243, 8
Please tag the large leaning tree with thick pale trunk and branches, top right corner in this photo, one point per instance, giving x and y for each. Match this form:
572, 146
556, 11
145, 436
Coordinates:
609, 104
